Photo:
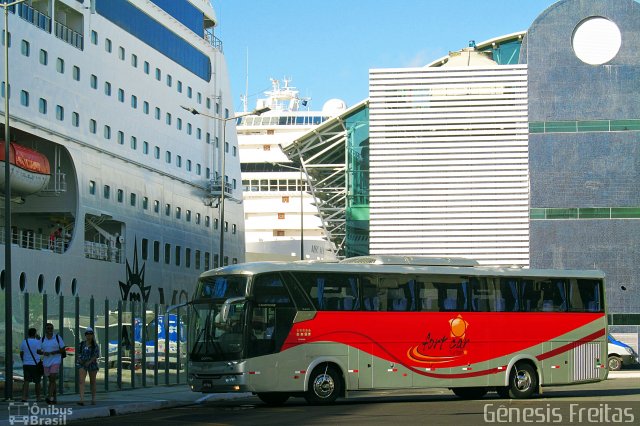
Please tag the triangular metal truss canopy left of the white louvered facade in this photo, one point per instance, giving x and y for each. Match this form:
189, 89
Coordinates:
322, 154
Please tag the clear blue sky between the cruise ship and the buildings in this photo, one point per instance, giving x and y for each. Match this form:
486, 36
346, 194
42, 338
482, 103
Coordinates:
326, 47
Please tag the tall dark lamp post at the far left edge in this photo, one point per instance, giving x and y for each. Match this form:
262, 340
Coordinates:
8, 363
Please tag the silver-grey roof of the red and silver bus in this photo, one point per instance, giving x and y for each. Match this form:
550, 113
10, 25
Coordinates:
253, 268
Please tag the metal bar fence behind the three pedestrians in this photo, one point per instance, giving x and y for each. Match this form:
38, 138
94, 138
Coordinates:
140, 344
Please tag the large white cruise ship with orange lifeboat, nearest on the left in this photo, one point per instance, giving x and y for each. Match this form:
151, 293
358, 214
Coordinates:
113, 183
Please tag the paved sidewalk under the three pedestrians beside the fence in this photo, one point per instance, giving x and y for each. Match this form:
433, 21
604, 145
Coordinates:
109, 403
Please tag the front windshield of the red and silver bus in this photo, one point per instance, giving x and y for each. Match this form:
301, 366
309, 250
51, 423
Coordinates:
216, 330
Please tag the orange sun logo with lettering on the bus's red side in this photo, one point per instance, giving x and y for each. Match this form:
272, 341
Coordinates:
441, 348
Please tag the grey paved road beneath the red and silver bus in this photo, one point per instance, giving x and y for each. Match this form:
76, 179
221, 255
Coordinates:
559, 405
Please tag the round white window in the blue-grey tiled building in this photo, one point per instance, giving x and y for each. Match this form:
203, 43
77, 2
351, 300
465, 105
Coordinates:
596, 40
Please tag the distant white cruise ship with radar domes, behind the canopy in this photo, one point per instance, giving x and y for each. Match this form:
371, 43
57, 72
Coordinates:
281, 219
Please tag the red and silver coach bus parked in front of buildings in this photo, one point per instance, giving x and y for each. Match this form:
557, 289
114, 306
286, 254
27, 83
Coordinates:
324, 330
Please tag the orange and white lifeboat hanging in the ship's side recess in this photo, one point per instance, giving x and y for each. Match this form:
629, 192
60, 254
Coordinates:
29, 169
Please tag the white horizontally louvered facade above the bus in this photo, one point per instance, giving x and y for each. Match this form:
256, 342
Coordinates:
449, 163
